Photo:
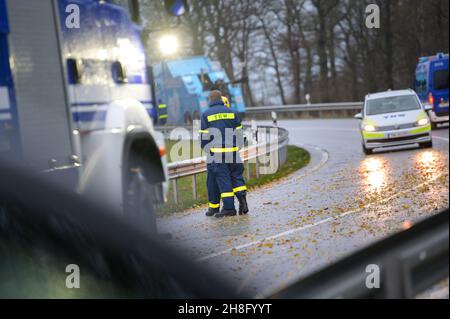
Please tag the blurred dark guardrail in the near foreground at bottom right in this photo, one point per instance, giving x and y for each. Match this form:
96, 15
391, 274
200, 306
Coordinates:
409, 263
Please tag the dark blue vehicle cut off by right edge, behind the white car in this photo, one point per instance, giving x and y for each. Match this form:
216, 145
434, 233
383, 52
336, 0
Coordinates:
431, 85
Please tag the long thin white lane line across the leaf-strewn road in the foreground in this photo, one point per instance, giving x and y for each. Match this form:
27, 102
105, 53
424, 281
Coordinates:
321, 222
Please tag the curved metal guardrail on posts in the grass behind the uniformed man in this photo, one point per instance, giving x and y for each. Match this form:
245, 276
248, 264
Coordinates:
265, 144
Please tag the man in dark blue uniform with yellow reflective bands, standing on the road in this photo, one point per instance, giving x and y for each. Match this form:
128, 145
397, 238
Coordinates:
221, 137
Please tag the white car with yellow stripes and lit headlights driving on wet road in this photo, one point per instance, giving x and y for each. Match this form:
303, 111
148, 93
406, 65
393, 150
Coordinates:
394, 118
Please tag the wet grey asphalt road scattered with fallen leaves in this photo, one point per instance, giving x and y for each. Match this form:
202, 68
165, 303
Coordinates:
341, 202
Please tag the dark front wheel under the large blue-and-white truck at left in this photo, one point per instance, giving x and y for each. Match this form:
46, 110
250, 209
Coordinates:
140, 196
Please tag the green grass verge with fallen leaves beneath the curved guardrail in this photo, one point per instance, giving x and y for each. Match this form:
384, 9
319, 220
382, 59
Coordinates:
296, 159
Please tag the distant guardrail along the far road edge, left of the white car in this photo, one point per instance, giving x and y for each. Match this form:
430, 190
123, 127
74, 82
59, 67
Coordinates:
313, 110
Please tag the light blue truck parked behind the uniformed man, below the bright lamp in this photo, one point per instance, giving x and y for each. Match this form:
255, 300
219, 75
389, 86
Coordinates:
183, 85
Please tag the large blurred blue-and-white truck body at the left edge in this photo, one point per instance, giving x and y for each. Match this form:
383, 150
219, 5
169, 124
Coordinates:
74, 101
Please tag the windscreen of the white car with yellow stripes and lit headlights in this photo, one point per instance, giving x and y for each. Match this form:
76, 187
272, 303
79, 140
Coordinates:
392, 105
